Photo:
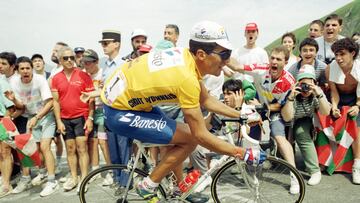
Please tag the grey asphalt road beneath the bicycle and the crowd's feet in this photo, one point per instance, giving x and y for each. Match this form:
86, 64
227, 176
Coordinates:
335, 188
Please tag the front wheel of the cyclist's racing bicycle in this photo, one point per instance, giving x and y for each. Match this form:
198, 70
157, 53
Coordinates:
273, 178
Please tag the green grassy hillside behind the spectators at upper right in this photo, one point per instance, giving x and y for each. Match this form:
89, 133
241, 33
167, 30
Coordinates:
350, 14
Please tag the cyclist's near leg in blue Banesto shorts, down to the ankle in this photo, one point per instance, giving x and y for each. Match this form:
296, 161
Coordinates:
154, 127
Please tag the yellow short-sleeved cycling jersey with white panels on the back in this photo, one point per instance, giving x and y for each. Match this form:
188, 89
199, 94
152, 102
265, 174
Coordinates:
167, 76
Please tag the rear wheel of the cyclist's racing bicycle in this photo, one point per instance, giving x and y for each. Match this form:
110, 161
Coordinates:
93, 191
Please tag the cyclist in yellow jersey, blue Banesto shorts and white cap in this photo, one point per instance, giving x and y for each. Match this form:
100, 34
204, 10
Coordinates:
172, 76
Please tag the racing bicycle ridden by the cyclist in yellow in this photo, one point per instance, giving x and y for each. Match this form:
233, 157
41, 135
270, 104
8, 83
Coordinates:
269, 182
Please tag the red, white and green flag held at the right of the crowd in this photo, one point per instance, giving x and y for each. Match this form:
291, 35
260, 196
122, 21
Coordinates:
334, 139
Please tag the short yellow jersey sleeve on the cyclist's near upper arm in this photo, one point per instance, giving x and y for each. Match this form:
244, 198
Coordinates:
189, 93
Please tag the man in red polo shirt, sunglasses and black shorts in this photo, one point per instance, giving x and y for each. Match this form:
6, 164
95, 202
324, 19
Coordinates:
73, 117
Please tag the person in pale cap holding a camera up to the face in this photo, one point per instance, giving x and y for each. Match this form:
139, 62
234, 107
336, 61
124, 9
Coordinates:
303, 101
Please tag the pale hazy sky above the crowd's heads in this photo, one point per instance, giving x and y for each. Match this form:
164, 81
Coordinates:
34, 26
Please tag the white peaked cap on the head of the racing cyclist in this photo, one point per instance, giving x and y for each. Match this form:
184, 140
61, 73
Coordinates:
208, 31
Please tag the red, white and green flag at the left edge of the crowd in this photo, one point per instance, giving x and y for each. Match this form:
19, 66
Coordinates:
24, 144
